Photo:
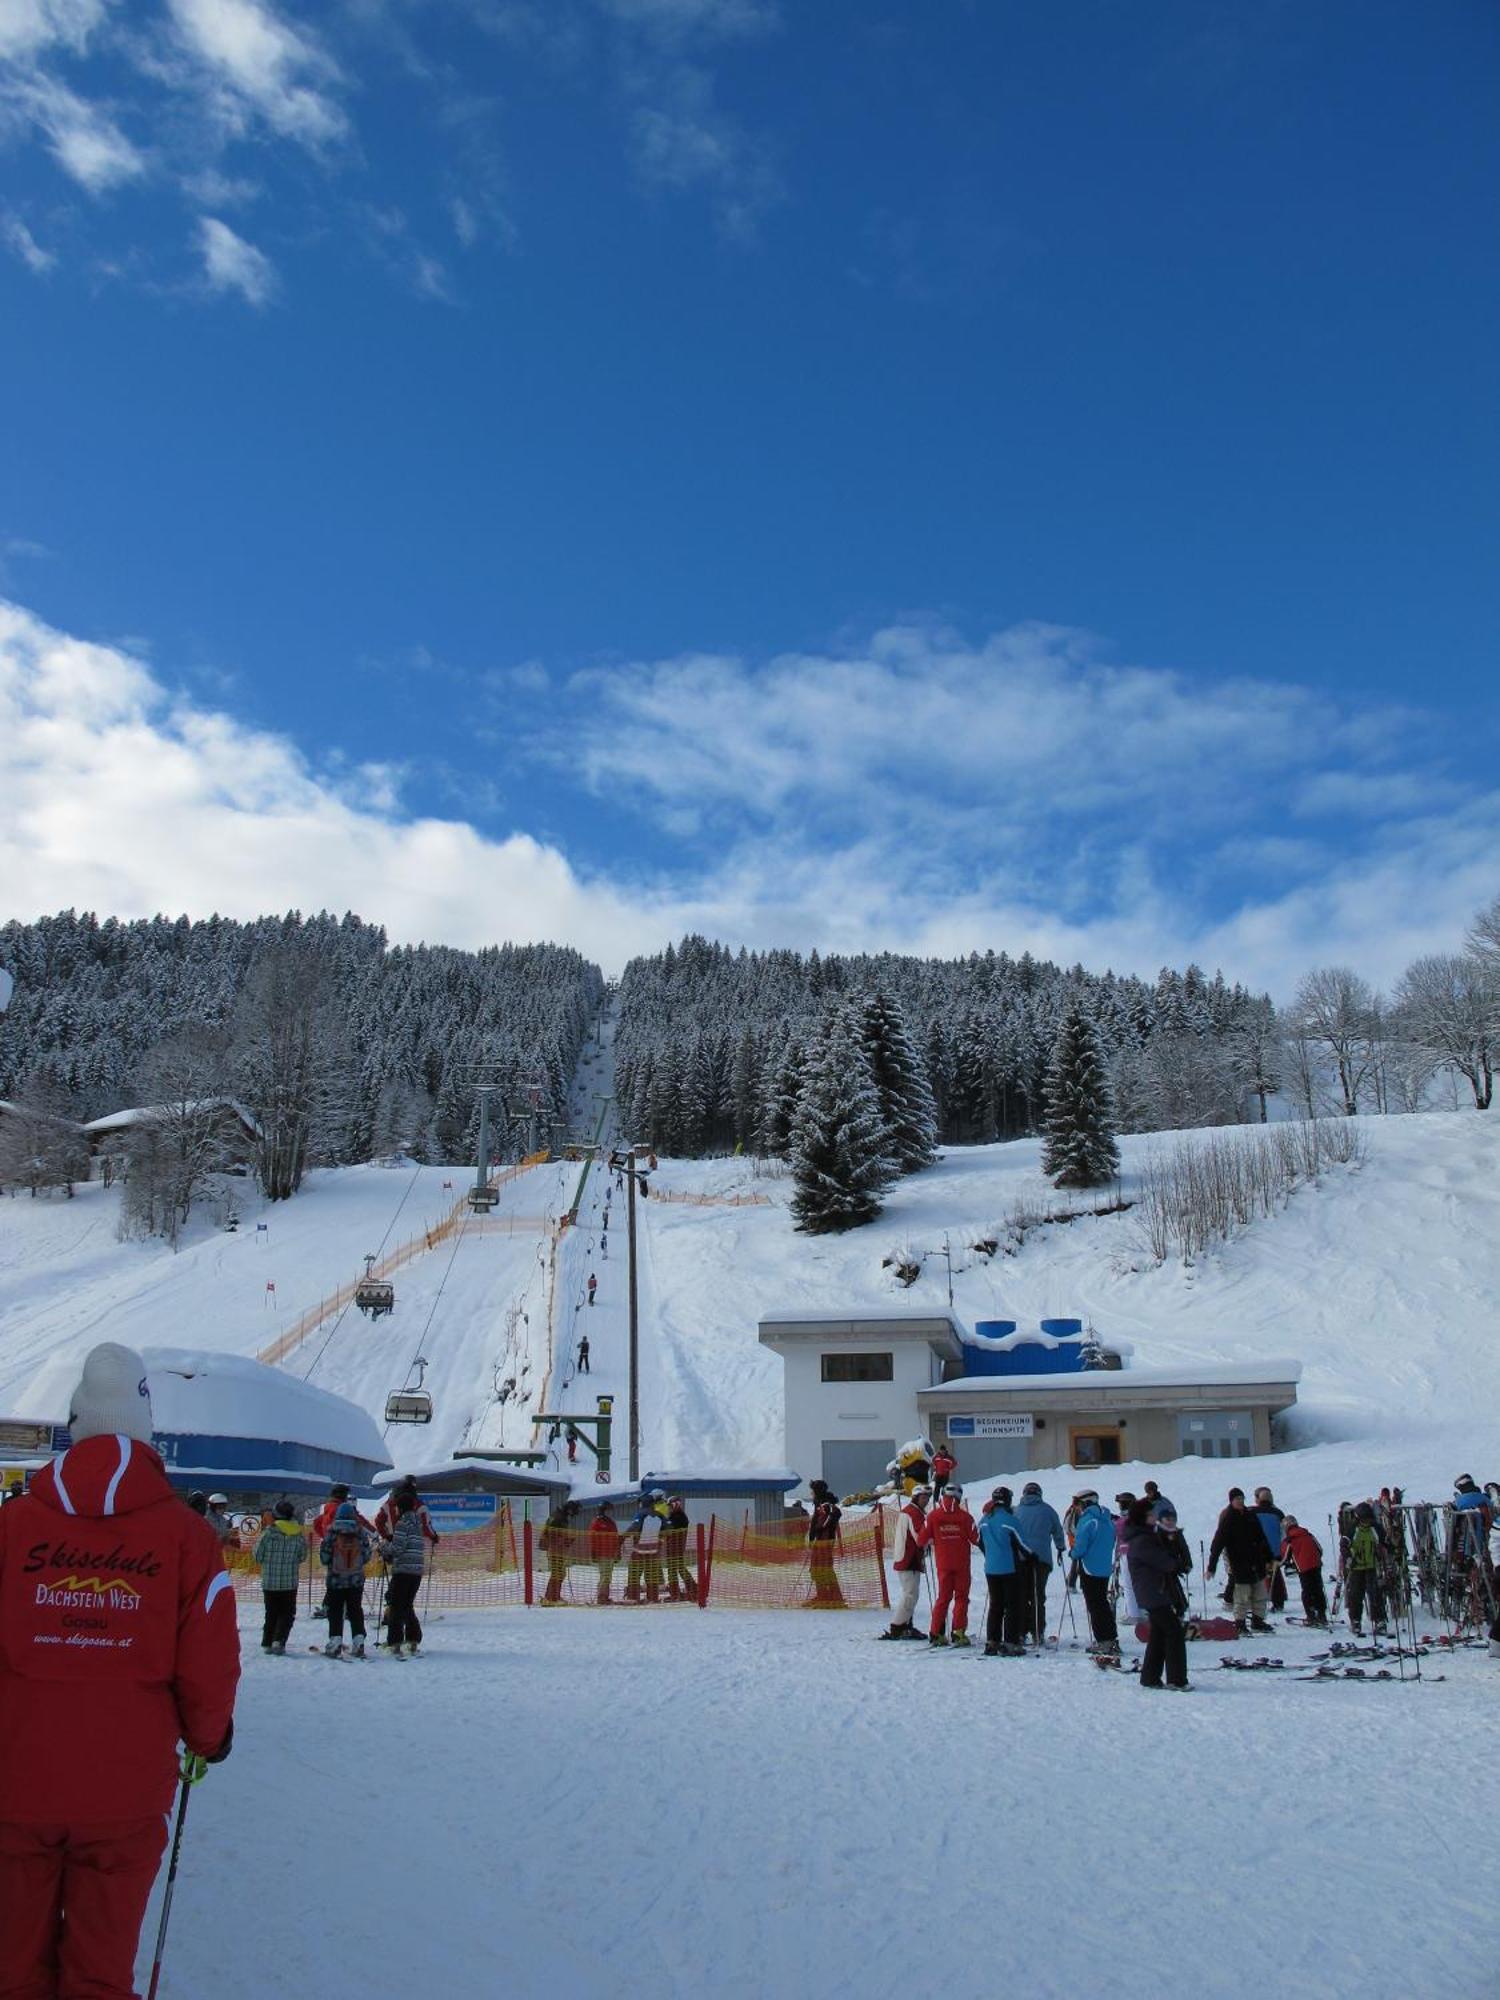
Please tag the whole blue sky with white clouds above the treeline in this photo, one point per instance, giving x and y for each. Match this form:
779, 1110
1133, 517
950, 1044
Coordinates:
935, 475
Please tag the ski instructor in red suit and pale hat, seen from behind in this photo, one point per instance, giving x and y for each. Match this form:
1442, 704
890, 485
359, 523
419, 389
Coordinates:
119, 1643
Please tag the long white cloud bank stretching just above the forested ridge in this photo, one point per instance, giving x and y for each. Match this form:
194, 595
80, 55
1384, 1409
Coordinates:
123, 799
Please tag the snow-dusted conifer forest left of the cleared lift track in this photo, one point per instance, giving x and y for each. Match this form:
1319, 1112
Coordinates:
339, 1045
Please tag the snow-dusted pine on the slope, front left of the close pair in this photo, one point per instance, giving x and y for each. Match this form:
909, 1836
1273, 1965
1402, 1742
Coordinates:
839, 1137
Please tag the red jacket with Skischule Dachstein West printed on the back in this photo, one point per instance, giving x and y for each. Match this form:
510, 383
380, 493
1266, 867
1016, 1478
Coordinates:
117, 1639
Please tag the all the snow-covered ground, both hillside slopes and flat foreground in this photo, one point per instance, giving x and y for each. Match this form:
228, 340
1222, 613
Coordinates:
669, 1803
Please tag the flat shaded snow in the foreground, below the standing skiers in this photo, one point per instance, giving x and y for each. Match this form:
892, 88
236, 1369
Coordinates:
679, 1803
